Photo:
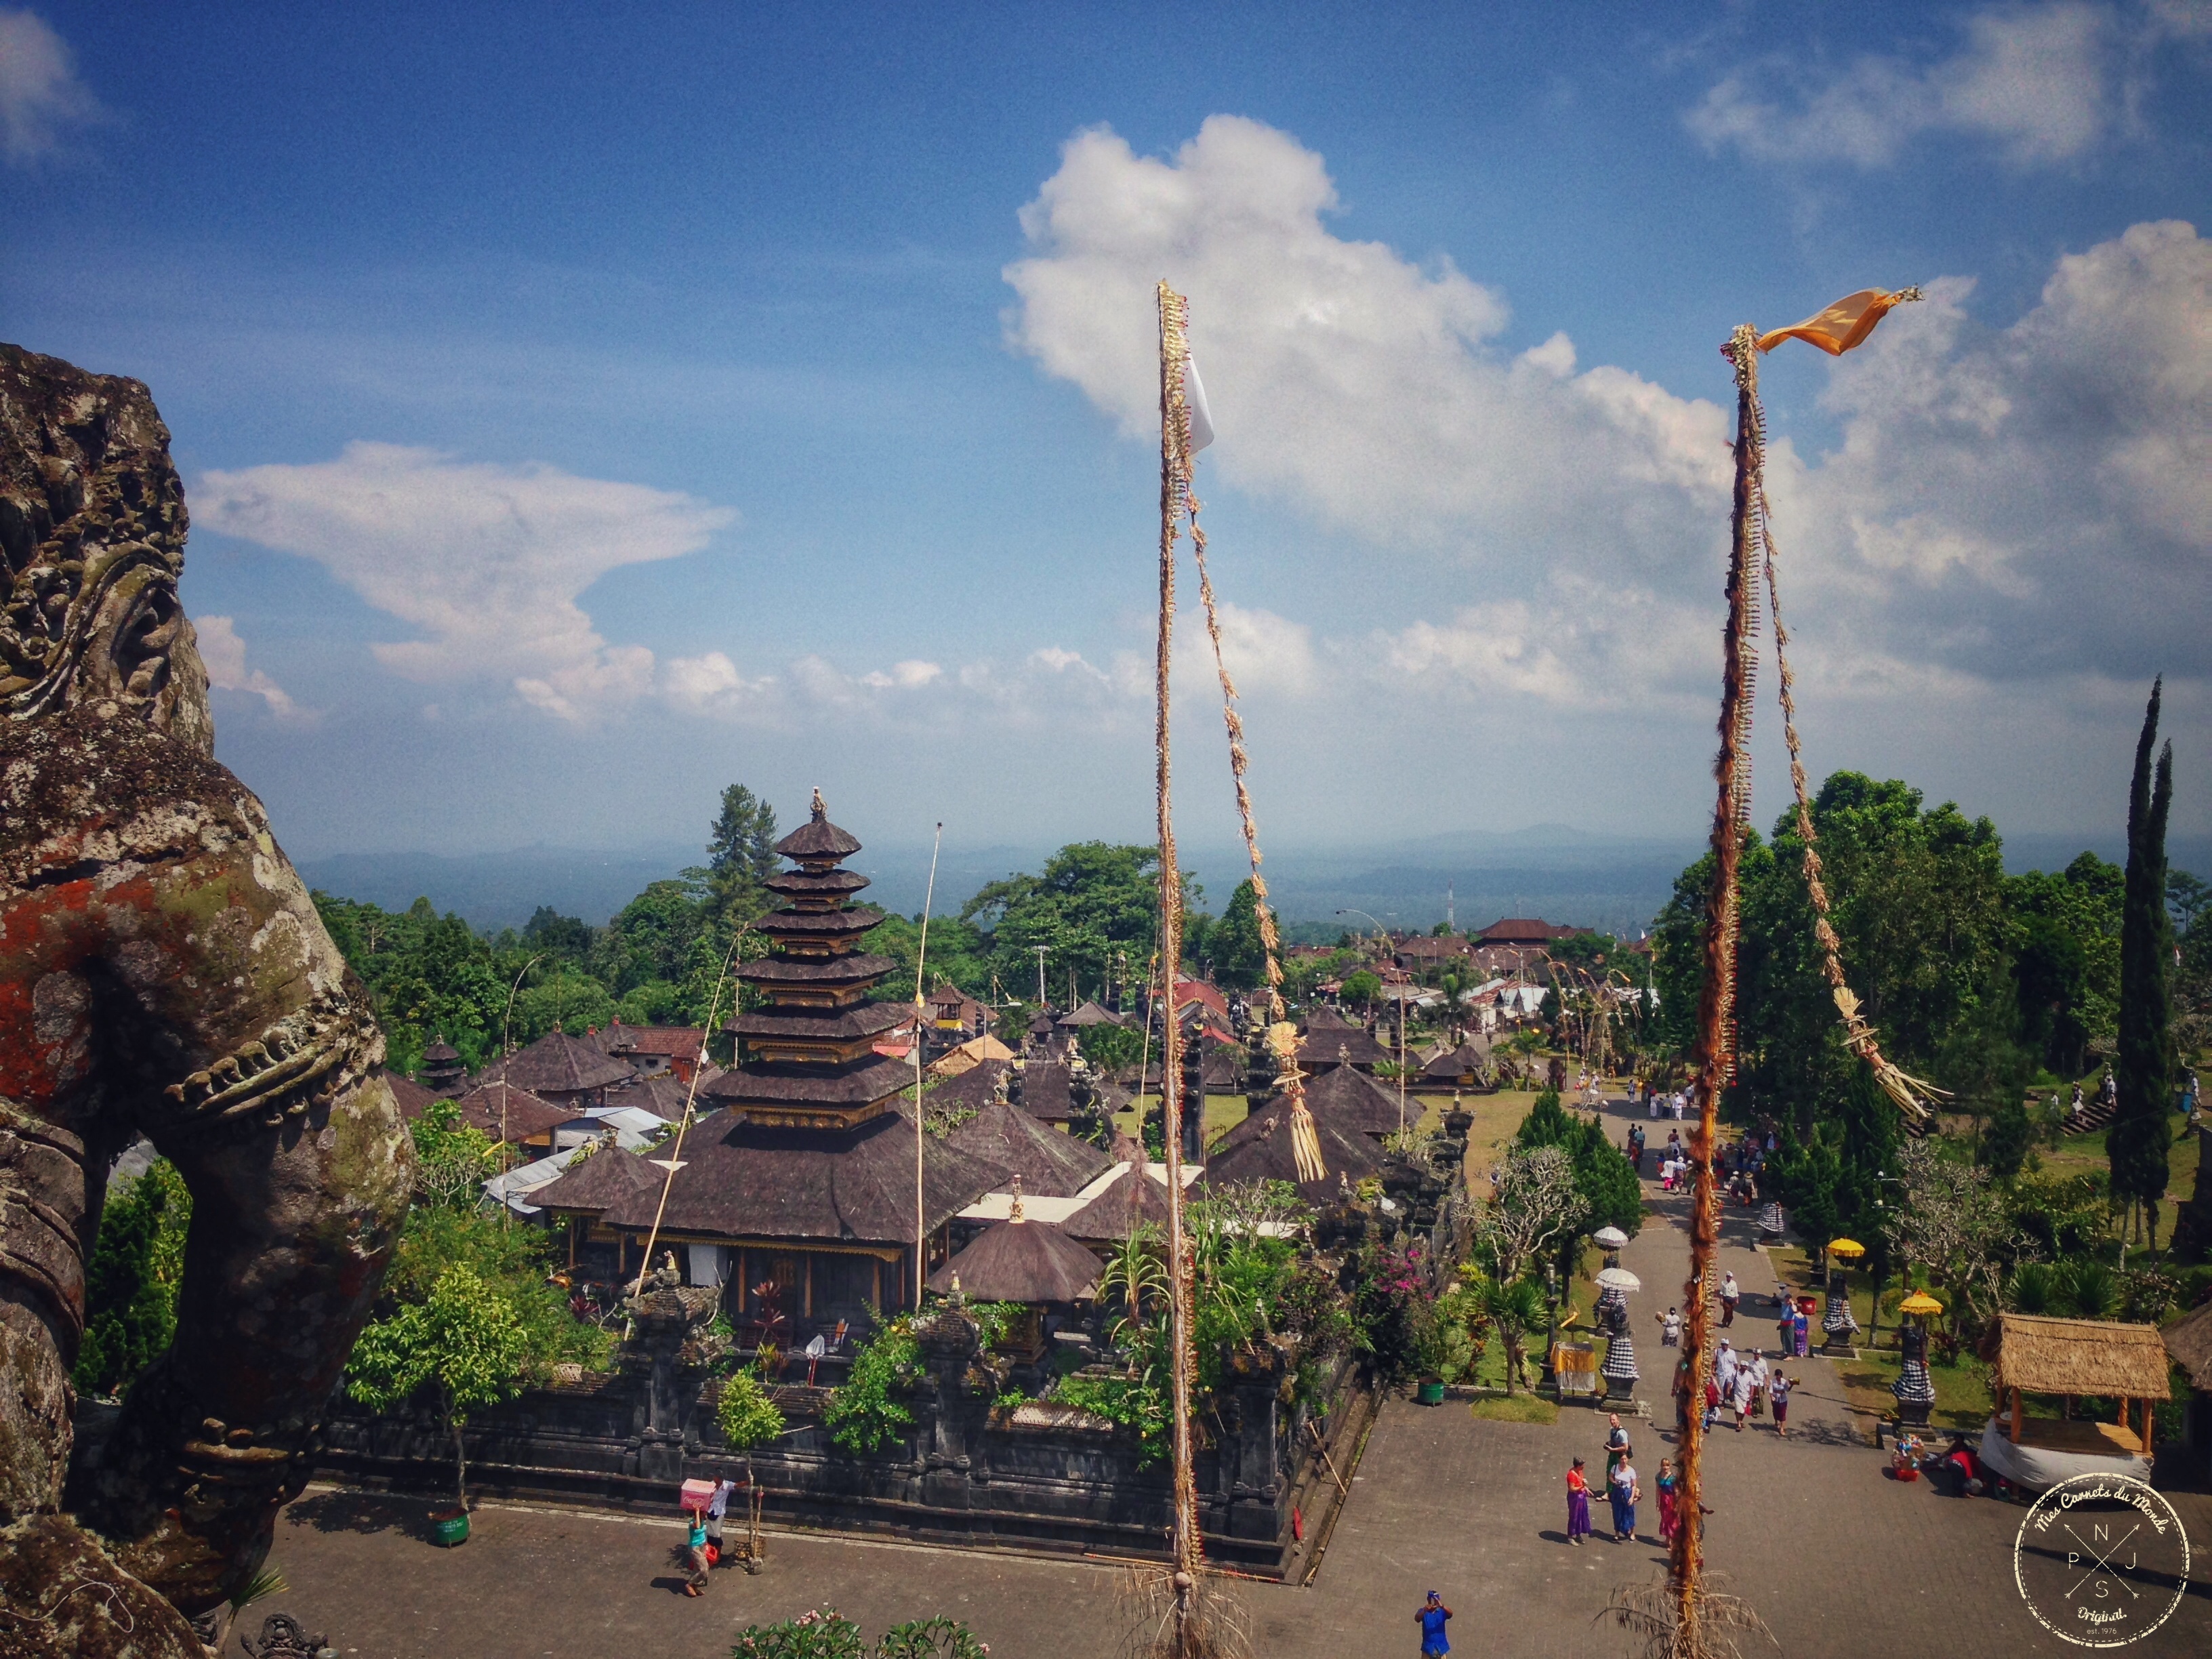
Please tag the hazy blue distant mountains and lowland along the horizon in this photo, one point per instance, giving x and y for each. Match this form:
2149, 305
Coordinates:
1547, 870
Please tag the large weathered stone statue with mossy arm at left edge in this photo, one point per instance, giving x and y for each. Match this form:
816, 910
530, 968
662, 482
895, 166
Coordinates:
165, 974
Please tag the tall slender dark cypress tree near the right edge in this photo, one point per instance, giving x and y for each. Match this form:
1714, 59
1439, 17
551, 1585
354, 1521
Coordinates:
2142, 1065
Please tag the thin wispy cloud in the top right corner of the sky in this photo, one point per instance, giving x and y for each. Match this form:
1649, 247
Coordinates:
2043, 83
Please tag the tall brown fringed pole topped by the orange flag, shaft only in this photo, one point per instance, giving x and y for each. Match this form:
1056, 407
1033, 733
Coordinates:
1718, 1001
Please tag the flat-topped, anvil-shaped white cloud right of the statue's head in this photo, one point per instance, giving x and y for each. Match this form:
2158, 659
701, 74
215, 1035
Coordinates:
486, 561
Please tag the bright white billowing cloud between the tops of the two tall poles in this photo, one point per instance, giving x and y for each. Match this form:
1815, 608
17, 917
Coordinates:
1342, 375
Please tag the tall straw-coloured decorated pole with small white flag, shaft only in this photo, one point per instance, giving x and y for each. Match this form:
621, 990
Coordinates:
1173, 488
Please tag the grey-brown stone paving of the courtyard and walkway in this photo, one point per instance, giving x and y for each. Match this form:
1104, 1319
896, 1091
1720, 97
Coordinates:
1837, 1558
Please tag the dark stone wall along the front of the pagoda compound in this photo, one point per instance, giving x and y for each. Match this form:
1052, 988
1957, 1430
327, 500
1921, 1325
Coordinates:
1039, 1477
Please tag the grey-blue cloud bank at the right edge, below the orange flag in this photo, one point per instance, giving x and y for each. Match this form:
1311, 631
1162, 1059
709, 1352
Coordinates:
2036, 499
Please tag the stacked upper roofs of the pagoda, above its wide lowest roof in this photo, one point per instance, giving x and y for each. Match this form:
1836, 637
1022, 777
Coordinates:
811, 1054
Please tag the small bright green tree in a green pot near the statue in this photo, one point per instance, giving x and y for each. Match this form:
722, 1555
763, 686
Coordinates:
463, 1344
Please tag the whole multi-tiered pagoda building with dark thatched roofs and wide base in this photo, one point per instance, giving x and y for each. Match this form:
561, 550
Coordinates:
802, 1182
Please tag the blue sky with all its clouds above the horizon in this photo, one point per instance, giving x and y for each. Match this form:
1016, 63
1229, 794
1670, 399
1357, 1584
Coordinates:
583, 408
